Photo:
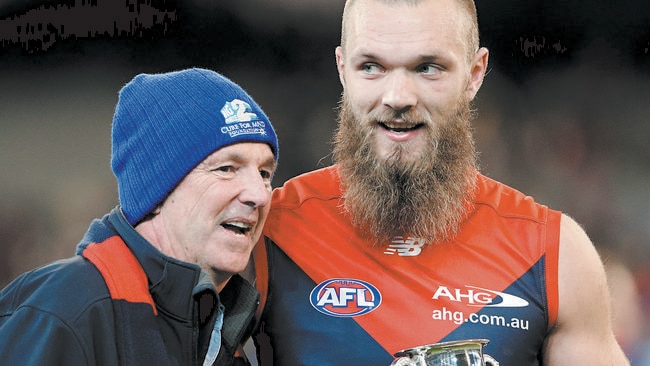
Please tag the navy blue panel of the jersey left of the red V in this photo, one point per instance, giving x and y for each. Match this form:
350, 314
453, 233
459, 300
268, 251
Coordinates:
340, 341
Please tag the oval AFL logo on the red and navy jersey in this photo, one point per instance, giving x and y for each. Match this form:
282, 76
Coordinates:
343, 297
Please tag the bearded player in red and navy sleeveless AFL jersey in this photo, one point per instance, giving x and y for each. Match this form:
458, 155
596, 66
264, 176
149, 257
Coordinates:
403, 243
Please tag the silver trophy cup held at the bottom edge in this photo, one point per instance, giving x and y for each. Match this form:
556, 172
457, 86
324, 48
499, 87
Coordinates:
467, 352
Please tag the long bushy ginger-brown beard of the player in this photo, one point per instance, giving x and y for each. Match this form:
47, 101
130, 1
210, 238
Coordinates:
425, 197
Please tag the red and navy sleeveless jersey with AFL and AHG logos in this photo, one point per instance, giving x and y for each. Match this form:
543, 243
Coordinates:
335, 299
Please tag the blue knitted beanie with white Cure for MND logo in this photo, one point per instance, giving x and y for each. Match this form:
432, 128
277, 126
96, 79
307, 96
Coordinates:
166, 124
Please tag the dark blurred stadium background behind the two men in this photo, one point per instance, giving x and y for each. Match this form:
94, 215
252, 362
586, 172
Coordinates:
563, 114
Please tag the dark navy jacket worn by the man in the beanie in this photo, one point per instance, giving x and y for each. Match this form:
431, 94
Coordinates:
63, 313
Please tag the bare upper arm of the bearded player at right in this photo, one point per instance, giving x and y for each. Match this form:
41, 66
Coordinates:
583, 332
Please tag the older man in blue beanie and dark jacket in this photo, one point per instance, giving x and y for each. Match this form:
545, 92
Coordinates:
155, 282
